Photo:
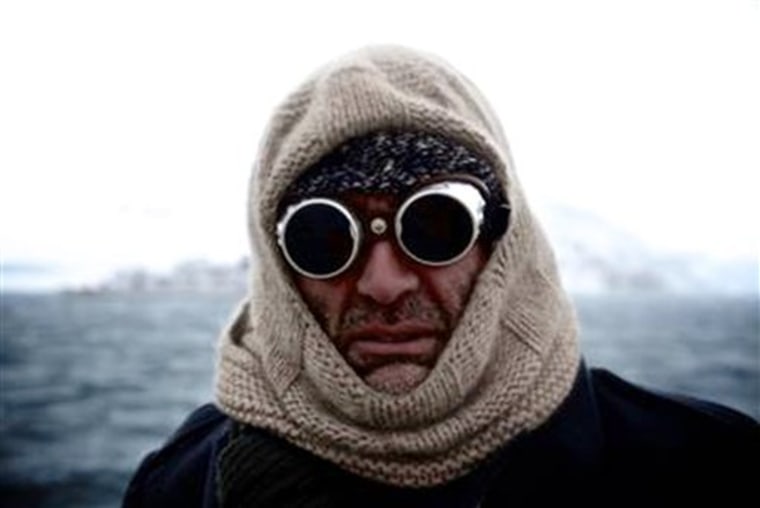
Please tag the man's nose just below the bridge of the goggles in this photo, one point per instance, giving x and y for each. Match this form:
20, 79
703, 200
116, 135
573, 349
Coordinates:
384, 277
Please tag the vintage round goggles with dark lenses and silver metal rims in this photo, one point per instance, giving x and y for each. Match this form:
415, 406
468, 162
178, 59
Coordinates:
436, 226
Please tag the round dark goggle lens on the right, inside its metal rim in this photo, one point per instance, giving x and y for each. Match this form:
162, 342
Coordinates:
436, 228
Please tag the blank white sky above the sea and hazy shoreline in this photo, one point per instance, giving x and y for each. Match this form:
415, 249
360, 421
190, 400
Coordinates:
128, 128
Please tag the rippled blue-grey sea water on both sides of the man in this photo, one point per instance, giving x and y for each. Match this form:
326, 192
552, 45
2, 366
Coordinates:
90, 383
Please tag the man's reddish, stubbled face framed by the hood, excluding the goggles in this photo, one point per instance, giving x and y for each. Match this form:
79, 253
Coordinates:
389, 316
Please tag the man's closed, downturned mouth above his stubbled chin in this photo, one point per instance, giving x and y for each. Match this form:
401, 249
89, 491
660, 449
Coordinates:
373, 347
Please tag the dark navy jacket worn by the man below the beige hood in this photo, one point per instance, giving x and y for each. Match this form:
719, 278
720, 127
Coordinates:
609, 444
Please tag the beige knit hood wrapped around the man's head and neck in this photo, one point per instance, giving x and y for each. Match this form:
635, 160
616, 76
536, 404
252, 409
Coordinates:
509, 363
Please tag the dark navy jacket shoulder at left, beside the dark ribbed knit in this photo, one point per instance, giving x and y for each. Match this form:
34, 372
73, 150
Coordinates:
181, 472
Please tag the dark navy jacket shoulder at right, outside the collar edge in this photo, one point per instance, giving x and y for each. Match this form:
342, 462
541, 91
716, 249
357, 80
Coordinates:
686, 447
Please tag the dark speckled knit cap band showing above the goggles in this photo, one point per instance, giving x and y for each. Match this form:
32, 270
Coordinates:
390, 163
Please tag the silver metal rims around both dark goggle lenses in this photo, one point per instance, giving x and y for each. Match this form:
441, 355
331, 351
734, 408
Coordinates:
465, 193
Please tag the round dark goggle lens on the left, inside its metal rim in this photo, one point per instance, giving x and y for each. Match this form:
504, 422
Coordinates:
318, 239
